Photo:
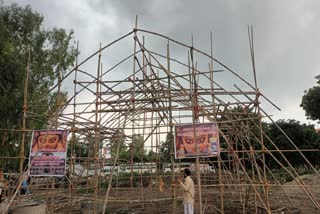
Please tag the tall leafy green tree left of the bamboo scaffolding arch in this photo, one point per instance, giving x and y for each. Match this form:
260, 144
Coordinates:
51, 52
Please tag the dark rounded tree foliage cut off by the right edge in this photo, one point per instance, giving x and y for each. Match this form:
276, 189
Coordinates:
311, 101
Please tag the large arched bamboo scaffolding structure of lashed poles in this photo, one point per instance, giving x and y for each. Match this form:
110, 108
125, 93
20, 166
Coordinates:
143, 102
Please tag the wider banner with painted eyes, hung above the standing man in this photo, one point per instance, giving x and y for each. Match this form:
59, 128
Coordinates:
205, 136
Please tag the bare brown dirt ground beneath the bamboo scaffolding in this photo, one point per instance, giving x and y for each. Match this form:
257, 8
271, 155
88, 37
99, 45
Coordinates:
149, 200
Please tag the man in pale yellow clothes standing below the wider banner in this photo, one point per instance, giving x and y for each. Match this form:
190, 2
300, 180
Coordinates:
188, 192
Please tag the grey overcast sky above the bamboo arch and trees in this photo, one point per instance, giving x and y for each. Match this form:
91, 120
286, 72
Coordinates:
287, 35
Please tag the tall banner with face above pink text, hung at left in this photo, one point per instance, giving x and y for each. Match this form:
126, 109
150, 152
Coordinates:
48, 152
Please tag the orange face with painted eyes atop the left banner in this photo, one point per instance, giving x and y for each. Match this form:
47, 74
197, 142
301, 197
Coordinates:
47, 142
